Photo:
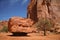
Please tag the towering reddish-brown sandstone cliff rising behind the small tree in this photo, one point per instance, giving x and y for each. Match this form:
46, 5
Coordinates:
49, 9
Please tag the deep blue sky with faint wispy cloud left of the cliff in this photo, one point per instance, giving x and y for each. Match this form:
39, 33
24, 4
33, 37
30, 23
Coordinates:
9, 8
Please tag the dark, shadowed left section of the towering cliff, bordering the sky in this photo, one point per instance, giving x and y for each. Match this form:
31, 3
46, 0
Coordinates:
32, 10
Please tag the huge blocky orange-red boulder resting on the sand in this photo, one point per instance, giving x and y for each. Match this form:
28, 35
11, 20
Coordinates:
18, 24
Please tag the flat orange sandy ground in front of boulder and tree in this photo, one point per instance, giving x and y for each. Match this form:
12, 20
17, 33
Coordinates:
31, 36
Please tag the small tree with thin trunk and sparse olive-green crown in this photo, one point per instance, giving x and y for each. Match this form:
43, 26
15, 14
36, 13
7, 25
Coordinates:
44, 24
